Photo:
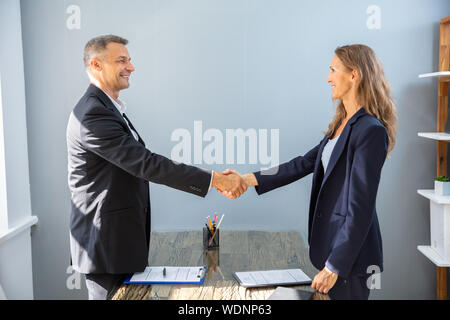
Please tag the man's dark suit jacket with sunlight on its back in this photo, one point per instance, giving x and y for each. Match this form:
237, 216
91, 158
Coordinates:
108, 179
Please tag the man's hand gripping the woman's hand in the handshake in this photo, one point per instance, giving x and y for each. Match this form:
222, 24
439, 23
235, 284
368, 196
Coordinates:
231, 184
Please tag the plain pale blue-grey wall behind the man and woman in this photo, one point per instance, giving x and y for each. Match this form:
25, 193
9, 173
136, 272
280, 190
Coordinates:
234, 64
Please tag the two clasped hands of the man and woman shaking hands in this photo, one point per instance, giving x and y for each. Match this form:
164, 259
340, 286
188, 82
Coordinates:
232, 184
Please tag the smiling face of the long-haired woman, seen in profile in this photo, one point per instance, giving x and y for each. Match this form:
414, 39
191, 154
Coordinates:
340, 78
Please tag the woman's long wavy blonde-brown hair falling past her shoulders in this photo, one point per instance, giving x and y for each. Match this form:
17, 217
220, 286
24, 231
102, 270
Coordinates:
373, 91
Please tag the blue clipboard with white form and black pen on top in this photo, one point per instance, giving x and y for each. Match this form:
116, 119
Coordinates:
192, 275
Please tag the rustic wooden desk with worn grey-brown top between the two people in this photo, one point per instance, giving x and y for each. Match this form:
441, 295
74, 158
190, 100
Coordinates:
239, 251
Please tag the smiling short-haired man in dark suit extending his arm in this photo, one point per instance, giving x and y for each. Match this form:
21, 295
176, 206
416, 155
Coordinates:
109, 169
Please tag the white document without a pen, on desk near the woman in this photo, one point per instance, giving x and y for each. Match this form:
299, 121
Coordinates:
272, 278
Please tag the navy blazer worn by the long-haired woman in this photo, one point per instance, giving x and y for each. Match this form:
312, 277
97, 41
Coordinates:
343, 229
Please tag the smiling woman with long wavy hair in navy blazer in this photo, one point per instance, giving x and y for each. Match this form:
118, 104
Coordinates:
343, 231
